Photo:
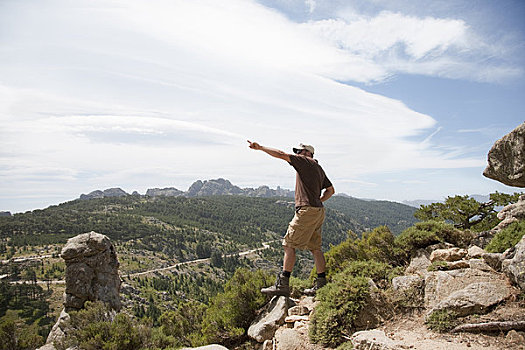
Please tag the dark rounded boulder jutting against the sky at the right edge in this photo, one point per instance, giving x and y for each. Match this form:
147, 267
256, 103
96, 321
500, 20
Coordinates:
506, 159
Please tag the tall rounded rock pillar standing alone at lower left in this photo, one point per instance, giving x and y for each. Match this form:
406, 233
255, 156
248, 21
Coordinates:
91, 274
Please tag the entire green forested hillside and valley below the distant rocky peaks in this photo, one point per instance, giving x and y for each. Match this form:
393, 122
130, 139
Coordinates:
154, 232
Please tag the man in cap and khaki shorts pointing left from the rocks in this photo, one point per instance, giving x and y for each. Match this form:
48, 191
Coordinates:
304, 231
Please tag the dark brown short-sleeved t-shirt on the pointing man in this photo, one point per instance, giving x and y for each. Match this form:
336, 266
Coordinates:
309, 182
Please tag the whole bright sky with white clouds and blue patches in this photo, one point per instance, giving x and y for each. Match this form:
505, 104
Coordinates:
402, 99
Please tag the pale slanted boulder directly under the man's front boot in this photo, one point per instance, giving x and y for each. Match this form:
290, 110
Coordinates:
265, 325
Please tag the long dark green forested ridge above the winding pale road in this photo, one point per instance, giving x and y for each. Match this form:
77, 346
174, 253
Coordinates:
235, 219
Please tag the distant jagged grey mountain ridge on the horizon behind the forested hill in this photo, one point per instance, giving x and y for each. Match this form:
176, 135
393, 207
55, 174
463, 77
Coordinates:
216, 187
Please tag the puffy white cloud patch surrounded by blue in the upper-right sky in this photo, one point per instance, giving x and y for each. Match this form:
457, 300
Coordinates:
397, 43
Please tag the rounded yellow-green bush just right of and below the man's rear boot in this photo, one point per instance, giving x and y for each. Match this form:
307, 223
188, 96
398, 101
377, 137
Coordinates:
339, 304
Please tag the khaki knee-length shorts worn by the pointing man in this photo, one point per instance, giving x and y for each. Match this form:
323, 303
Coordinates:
304, 231
